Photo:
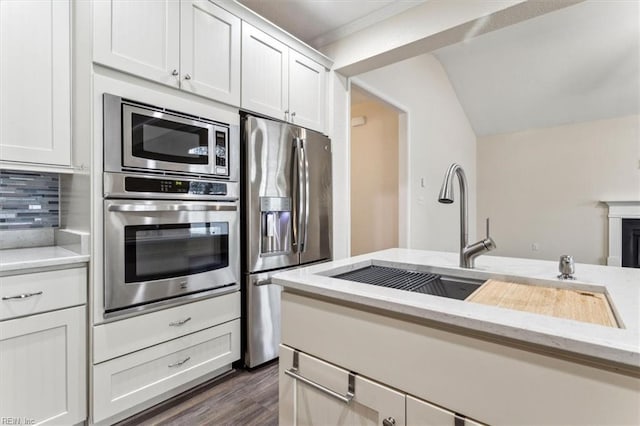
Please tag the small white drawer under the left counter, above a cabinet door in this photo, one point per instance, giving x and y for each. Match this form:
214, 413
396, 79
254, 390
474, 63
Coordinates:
29, 294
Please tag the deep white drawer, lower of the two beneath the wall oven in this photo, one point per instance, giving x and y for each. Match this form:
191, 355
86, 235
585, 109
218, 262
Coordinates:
137, 378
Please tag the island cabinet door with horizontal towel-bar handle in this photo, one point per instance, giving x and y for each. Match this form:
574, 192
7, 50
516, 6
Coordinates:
304, 404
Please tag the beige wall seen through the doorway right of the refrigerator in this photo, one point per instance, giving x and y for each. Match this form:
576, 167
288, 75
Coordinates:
374, 178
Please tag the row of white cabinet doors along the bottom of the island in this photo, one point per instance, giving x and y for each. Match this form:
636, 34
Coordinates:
314, 392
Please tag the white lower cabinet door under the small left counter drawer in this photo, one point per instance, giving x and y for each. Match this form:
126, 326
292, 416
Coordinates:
42, 368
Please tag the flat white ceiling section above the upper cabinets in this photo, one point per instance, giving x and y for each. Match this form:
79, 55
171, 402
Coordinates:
319, 22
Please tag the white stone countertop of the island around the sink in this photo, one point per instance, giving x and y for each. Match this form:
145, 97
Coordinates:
612, 345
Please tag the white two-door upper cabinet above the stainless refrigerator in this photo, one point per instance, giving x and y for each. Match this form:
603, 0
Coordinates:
279, 82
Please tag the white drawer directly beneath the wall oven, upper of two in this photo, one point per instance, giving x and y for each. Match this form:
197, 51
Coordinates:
129, 335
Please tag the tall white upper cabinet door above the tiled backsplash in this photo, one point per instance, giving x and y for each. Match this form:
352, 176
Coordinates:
35, 88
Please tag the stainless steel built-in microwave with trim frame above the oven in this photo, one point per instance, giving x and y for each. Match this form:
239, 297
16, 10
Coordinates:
144, 138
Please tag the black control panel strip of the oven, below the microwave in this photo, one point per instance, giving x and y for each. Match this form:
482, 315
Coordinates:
174, 186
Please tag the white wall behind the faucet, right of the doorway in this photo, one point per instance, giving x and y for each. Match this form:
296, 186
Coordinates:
438, 135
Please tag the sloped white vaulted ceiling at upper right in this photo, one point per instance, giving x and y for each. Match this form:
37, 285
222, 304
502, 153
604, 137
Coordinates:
576, 64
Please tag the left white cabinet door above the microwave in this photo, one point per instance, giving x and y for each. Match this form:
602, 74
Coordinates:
141, 37
